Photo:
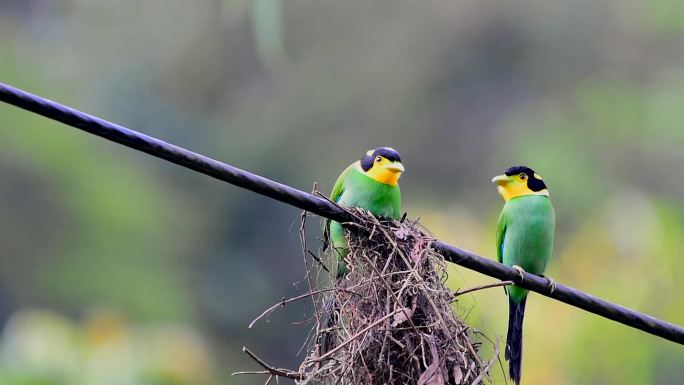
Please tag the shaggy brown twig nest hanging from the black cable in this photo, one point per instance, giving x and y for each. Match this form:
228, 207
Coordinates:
390, 319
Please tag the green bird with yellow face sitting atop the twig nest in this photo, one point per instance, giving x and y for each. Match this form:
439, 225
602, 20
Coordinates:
371, 183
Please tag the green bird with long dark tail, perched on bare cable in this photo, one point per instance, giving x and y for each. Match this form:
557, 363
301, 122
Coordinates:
524, 239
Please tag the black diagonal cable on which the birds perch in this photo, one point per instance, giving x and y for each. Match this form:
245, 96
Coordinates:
324, 208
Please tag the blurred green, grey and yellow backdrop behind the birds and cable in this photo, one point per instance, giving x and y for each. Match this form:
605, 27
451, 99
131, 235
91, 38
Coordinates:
118, 268
